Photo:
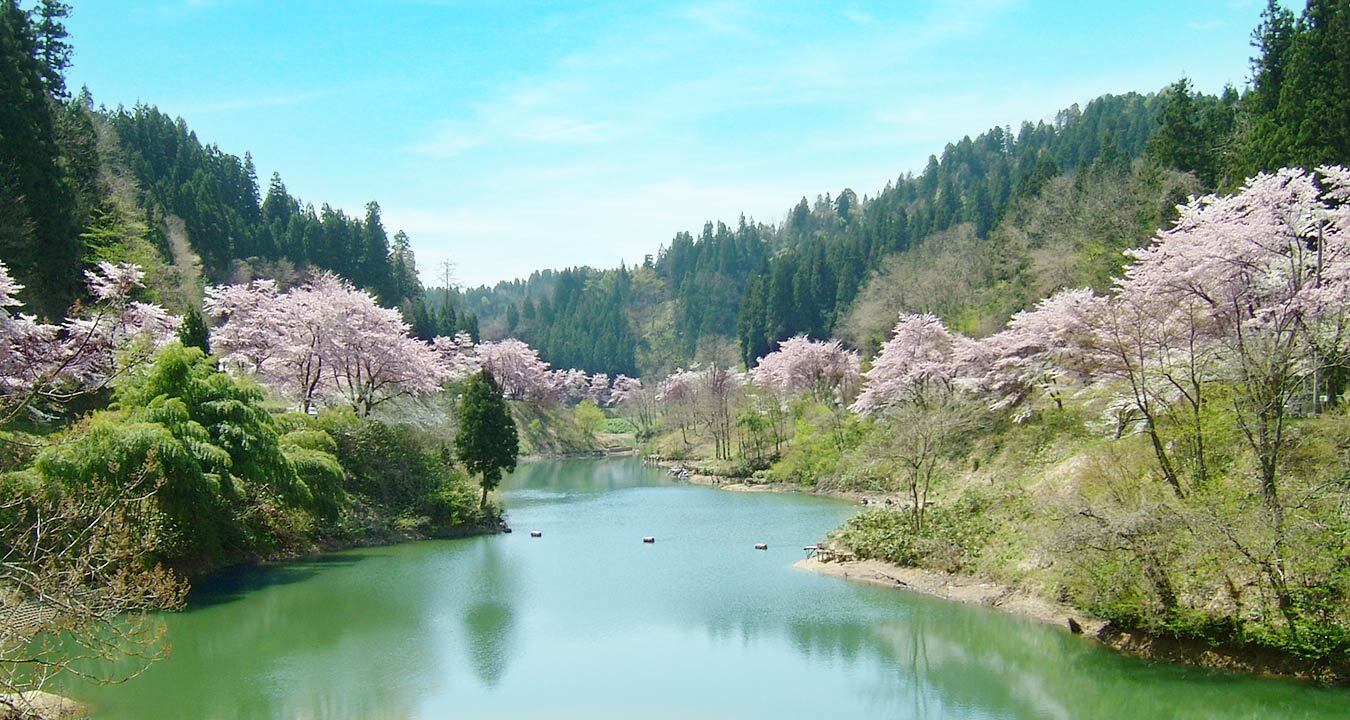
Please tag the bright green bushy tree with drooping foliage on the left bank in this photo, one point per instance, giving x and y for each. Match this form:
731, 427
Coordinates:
225, 480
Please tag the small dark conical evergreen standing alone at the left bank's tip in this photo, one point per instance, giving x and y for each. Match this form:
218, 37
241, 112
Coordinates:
487, 442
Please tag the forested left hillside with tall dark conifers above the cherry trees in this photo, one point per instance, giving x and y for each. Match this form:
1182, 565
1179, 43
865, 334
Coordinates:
82, 184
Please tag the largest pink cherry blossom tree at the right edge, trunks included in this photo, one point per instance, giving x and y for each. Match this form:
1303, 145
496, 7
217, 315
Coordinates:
1248, 291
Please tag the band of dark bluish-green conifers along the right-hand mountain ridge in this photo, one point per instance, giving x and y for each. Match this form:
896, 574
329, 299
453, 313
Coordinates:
757, 284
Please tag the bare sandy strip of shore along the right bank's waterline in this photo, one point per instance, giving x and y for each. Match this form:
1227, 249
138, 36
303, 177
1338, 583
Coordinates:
959, 590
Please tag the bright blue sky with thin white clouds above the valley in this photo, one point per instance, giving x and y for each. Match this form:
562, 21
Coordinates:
510, 137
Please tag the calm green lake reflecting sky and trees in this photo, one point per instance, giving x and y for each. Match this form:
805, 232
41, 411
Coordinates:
591, 623
